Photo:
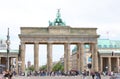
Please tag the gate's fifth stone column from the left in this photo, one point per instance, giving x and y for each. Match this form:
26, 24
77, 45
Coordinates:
81, 56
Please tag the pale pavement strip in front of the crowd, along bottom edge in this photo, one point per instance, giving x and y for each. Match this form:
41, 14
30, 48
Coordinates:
56, 77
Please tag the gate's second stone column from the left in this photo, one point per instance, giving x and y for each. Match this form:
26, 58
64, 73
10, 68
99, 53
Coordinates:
36, 56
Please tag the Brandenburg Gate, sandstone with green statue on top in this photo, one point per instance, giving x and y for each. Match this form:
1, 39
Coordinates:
59, 33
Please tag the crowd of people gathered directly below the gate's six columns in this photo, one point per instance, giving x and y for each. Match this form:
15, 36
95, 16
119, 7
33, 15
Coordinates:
94, 75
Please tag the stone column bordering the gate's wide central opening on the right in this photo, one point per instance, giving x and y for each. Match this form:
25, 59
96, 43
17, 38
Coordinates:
66, 57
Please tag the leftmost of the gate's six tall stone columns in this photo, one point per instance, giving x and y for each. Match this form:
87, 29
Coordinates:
22, 55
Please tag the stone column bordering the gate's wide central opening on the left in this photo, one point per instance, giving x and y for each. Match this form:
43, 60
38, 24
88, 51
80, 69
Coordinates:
49, 57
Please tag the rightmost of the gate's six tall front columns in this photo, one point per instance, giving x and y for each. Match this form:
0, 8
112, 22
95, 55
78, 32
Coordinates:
94, 57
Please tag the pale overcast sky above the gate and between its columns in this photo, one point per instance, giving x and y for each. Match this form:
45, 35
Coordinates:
103, 14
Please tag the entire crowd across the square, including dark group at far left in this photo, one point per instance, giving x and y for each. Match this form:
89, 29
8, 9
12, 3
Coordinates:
95, 75
